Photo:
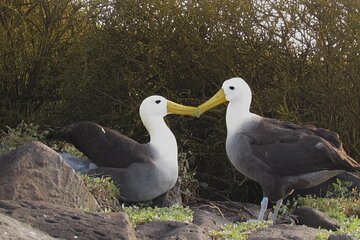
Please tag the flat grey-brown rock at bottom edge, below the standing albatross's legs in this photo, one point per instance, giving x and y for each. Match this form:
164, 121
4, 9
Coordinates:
284, 232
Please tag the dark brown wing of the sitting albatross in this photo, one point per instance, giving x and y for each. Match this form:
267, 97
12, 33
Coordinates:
104, 146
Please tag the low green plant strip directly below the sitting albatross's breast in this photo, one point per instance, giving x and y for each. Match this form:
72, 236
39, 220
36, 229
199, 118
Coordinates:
139, 215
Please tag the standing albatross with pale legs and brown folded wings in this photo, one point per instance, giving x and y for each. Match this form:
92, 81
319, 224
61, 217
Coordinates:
281, 156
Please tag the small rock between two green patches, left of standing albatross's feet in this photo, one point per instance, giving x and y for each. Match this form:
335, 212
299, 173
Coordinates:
209, 219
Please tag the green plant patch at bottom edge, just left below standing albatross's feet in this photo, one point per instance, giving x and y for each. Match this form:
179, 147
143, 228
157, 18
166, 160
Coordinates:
238, 231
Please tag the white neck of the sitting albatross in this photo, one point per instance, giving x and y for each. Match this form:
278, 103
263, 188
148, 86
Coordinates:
162, 140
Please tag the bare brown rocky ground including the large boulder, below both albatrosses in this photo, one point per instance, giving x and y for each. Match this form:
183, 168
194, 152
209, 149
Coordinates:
41, 197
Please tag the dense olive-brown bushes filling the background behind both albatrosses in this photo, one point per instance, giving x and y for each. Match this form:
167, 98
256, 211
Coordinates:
68, 60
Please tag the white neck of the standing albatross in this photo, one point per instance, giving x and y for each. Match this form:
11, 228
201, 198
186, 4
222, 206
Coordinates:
238, 116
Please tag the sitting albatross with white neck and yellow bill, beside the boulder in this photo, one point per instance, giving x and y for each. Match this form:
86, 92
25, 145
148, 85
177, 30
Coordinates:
142, 172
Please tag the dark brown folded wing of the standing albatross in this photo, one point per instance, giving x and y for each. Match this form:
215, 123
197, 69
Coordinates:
291, 149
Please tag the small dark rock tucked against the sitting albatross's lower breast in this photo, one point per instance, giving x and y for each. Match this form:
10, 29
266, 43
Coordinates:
171, 197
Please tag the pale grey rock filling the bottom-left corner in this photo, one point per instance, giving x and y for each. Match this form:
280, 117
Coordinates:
13, 229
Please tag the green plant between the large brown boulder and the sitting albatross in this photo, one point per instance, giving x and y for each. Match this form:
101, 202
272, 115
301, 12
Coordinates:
104, 191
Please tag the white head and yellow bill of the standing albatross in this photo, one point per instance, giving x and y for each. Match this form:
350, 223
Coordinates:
232, 90
